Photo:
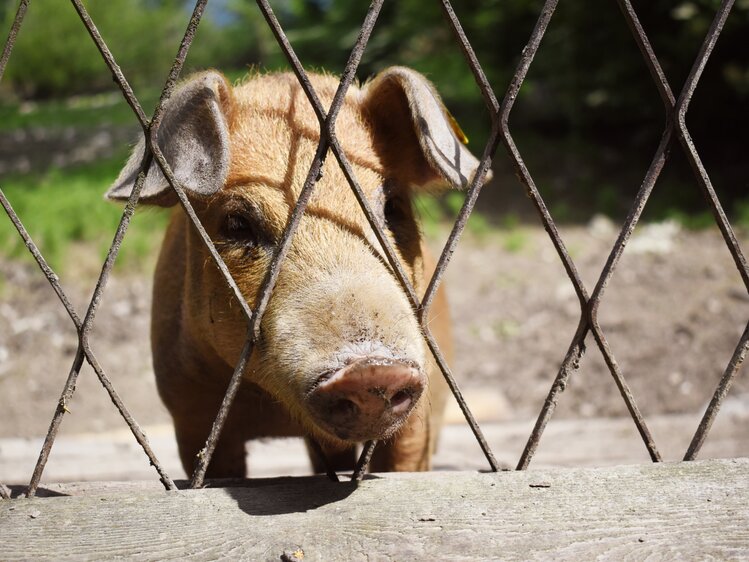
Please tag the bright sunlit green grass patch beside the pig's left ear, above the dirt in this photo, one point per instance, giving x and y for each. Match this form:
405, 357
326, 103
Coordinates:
65, 207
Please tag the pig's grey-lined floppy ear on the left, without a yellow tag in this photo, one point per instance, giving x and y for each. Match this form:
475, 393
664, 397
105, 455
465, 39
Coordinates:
194, 139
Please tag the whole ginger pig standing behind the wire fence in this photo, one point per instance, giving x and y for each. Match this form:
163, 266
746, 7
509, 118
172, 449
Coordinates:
340, 358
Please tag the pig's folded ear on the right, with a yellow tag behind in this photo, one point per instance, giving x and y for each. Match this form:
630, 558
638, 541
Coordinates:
414, 134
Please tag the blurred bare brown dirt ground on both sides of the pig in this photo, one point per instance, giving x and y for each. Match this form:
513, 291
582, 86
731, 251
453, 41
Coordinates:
673, 314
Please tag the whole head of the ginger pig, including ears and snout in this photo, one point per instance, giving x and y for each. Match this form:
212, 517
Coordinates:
339, 345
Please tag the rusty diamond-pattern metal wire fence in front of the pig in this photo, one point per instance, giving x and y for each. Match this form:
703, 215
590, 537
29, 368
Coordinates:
675, 132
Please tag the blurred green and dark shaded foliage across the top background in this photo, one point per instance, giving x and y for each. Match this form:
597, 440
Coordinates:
587, 121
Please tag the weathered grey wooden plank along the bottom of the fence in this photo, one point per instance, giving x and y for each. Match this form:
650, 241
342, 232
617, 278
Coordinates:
697, 510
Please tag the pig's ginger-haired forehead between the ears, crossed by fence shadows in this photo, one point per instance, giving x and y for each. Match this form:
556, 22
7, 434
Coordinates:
275, 135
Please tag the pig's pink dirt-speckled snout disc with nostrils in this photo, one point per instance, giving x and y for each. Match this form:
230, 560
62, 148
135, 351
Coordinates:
367, 399
